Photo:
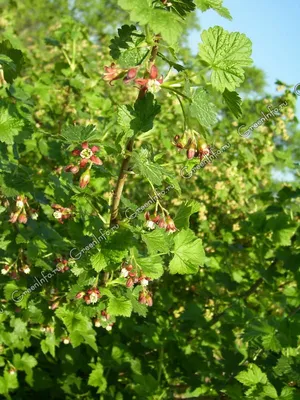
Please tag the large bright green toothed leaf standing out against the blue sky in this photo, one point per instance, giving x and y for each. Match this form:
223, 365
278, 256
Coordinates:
226, 53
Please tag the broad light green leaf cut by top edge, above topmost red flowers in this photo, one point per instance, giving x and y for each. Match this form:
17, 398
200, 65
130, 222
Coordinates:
161, 21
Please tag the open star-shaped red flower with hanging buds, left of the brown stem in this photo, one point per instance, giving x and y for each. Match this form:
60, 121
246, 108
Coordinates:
88, 158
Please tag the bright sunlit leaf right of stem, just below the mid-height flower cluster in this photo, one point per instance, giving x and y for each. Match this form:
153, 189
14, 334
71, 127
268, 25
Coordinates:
189, 253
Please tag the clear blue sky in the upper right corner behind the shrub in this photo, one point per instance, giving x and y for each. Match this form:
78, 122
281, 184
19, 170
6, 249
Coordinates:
273, 27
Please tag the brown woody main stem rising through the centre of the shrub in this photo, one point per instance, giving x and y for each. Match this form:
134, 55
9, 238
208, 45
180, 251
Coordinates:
125, 163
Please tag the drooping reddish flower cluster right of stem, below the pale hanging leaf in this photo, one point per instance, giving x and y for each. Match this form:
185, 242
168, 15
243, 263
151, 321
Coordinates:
195, 146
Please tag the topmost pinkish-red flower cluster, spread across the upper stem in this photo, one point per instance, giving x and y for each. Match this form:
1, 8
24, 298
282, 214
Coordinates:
150, 82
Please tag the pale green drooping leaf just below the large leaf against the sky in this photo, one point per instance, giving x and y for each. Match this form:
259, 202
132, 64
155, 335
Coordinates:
201, 109
